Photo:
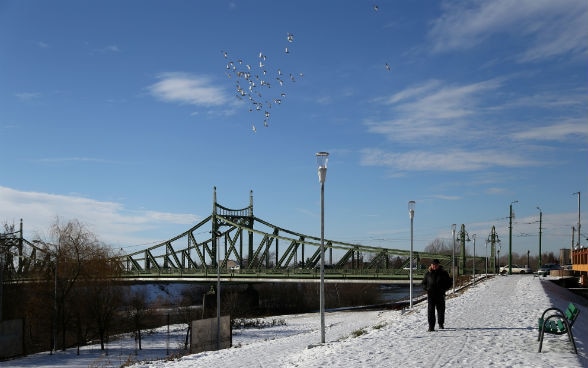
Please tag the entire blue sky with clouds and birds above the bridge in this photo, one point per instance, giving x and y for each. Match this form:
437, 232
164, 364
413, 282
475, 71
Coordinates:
125, 114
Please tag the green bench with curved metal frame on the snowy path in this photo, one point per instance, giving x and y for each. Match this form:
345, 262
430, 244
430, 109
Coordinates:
554, 321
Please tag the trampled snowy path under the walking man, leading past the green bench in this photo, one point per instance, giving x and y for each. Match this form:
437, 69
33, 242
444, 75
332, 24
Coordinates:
494, 322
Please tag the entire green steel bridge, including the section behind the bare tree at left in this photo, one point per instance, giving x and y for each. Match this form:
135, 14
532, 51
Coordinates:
235, 245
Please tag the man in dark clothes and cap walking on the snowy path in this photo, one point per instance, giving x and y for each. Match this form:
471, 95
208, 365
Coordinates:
436, 282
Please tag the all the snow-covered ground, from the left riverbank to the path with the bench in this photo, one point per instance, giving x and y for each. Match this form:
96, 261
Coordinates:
491, 324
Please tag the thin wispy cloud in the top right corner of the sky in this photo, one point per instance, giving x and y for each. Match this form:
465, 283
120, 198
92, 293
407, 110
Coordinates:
544, 28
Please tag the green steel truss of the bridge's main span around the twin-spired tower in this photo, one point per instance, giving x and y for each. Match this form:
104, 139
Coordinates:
243, 244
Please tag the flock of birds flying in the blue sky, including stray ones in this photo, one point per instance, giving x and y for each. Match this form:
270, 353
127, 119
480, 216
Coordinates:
254, 82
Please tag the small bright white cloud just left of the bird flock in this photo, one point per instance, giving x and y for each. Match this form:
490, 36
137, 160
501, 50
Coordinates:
184, 88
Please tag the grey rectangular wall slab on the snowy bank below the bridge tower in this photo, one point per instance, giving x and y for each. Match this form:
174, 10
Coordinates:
204, 334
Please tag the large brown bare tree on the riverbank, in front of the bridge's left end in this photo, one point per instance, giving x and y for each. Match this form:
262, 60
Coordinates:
80, 268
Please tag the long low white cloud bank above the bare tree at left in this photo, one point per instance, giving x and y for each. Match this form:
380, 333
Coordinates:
110, 221
